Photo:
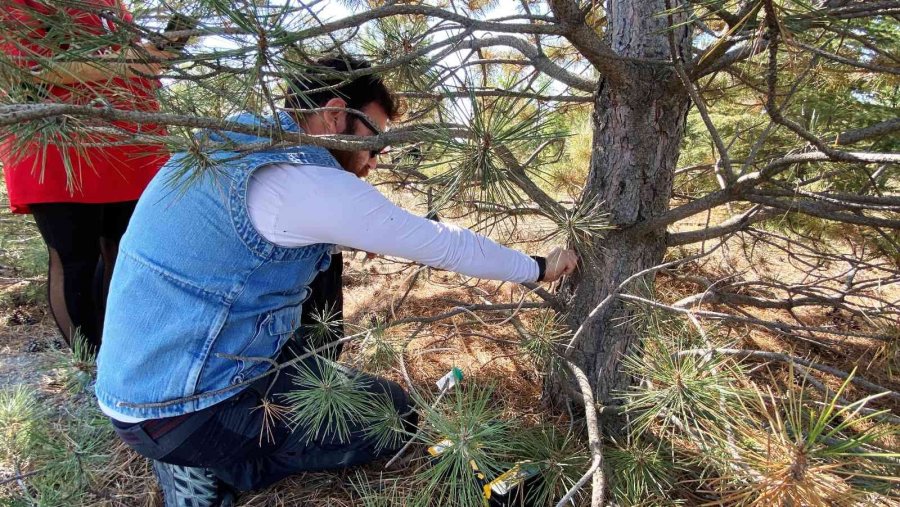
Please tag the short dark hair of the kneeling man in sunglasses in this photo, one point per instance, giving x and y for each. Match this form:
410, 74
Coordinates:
327, 79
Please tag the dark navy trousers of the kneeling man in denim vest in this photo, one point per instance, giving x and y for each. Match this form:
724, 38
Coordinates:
228, 437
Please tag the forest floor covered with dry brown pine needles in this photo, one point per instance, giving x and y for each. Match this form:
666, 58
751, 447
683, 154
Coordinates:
485, 351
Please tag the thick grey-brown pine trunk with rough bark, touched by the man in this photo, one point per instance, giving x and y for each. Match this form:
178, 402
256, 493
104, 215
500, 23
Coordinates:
639, 119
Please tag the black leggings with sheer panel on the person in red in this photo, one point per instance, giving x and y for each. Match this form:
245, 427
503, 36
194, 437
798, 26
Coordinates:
82, 242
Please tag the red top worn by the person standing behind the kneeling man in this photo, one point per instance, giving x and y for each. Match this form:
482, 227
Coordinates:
117, 171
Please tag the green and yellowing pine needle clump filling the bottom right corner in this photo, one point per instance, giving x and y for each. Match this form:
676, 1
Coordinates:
705, 417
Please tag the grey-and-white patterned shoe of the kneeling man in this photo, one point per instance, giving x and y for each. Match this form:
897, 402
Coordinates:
191, 486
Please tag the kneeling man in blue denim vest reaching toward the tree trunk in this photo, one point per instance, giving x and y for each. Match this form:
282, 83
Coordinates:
210, 280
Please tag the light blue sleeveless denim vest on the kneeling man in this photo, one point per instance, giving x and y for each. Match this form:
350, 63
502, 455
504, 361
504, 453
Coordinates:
195, 282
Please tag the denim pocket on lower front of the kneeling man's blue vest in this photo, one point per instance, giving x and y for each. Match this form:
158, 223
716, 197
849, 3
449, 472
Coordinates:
271, 334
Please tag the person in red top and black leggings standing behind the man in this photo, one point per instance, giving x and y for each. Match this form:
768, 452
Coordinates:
81, 186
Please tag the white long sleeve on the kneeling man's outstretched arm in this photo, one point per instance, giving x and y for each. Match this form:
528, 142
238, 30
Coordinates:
297, 205
